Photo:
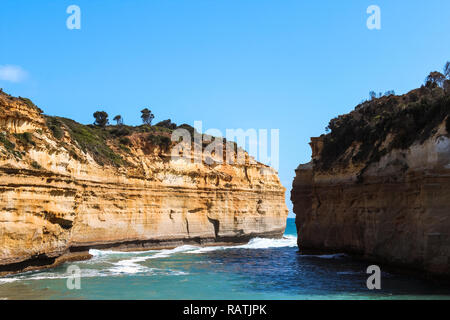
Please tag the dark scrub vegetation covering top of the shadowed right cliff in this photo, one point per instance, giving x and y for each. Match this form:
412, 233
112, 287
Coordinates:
358, 136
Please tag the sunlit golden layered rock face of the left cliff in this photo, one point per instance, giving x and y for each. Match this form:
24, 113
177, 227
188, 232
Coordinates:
56, 200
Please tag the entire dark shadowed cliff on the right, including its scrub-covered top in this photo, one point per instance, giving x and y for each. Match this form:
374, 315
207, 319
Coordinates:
379, 183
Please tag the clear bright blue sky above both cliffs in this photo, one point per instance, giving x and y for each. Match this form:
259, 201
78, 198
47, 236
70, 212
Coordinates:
280, 64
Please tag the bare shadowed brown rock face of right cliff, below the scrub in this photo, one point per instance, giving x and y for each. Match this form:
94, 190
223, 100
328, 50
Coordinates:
395, 209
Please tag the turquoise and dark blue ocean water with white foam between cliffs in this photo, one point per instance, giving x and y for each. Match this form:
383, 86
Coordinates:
260, 269
